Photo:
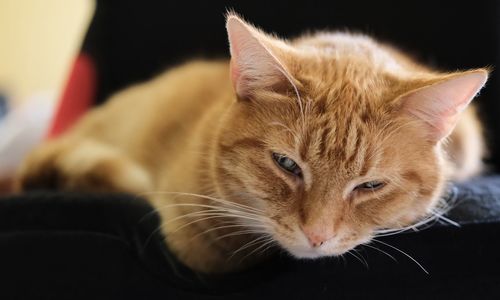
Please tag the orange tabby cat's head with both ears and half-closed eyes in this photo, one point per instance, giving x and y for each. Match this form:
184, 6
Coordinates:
334, 136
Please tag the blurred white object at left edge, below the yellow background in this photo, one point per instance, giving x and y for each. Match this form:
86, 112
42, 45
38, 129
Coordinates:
23, 128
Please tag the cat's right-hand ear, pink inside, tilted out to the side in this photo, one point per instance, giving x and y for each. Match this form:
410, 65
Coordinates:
440, 103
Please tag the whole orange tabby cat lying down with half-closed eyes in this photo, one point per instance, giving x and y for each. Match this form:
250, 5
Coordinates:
314, 145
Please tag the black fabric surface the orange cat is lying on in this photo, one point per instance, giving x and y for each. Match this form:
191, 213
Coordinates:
69, 246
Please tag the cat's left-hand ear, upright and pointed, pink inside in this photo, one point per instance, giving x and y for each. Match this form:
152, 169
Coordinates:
254, 61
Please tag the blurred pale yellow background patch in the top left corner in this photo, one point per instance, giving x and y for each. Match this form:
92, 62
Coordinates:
38, 41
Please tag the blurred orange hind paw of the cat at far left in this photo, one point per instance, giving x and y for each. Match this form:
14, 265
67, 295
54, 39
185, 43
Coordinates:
81, 166
